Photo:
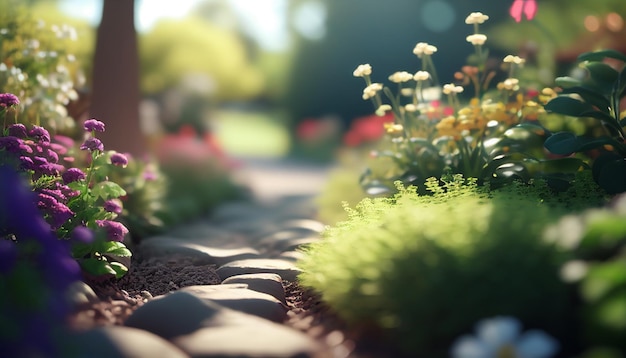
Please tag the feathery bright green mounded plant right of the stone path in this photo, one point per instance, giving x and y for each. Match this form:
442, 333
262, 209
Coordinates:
424, 269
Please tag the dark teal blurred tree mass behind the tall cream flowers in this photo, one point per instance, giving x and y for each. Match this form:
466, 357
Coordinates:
382, 34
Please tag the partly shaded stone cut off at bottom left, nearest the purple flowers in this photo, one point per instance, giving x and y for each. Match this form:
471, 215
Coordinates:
122, 342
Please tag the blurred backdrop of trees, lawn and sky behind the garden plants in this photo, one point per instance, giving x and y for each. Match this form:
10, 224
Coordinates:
214, 61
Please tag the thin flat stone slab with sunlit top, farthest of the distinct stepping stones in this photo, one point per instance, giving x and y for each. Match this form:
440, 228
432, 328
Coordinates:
285, 269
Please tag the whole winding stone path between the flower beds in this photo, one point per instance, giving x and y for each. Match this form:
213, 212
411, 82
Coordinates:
253, 244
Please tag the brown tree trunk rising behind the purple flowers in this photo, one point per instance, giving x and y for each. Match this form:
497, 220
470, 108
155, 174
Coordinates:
115, 86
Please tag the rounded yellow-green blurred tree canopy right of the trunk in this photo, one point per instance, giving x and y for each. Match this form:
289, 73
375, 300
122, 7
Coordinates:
176, 49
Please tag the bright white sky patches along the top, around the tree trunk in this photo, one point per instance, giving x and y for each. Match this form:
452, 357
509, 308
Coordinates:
265, 17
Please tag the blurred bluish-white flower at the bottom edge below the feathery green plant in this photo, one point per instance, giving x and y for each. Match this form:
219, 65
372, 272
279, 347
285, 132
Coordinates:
500, 337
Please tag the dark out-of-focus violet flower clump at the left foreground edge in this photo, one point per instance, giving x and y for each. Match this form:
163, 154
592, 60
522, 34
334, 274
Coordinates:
29, 247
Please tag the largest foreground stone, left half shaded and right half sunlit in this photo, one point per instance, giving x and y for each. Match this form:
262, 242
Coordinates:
202, 328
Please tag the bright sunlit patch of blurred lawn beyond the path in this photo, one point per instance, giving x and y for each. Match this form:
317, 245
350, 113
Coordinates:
251, 133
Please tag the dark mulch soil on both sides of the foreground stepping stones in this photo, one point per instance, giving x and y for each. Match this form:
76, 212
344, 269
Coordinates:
148, 278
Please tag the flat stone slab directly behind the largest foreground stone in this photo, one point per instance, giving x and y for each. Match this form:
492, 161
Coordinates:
238, 297
